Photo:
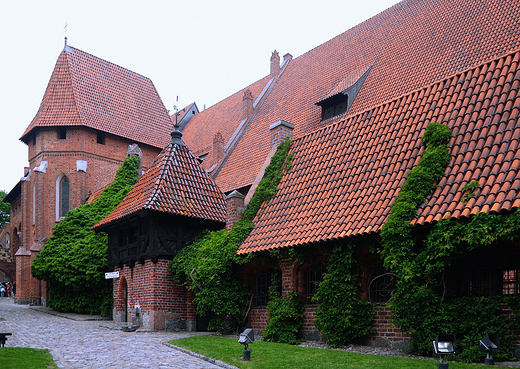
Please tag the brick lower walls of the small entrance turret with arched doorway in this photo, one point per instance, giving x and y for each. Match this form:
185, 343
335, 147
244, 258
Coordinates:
153, 299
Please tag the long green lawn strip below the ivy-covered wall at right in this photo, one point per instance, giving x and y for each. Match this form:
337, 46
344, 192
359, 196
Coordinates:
268, 355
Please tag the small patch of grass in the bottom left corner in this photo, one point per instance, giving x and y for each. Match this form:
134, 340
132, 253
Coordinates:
27, 358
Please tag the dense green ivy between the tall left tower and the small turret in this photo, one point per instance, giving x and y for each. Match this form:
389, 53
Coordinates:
74, 259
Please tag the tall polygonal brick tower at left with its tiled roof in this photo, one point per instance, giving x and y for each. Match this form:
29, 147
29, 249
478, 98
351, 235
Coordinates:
92, 115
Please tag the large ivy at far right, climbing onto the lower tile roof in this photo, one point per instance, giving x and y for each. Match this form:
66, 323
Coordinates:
421, 305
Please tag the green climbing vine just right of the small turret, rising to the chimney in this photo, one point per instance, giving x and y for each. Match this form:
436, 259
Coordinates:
209, 265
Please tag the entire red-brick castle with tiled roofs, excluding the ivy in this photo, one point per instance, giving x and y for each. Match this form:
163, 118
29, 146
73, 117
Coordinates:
355, 106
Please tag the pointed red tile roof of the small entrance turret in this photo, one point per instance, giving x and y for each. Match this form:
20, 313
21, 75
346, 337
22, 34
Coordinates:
174, 184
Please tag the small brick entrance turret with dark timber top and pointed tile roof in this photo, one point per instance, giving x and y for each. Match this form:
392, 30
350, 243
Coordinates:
169, 205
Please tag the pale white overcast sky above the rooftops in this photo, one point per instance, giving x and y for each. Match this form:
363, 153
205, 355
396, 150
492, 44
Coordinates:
199, 50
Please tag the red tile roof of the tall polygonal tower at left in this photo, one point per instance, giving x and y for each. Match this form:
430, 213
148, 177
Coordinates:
88, 91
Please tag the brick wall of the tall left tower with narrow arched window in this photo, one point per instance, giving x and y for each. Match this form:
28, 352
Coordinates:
37, 212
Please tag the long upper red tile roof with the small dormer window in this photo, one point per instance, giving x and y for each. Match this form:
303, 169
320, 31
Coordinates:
410, 45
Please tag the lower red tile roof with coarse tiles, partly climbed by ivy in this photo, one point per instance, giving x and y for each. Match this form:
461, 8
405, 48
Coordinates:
345, 176
